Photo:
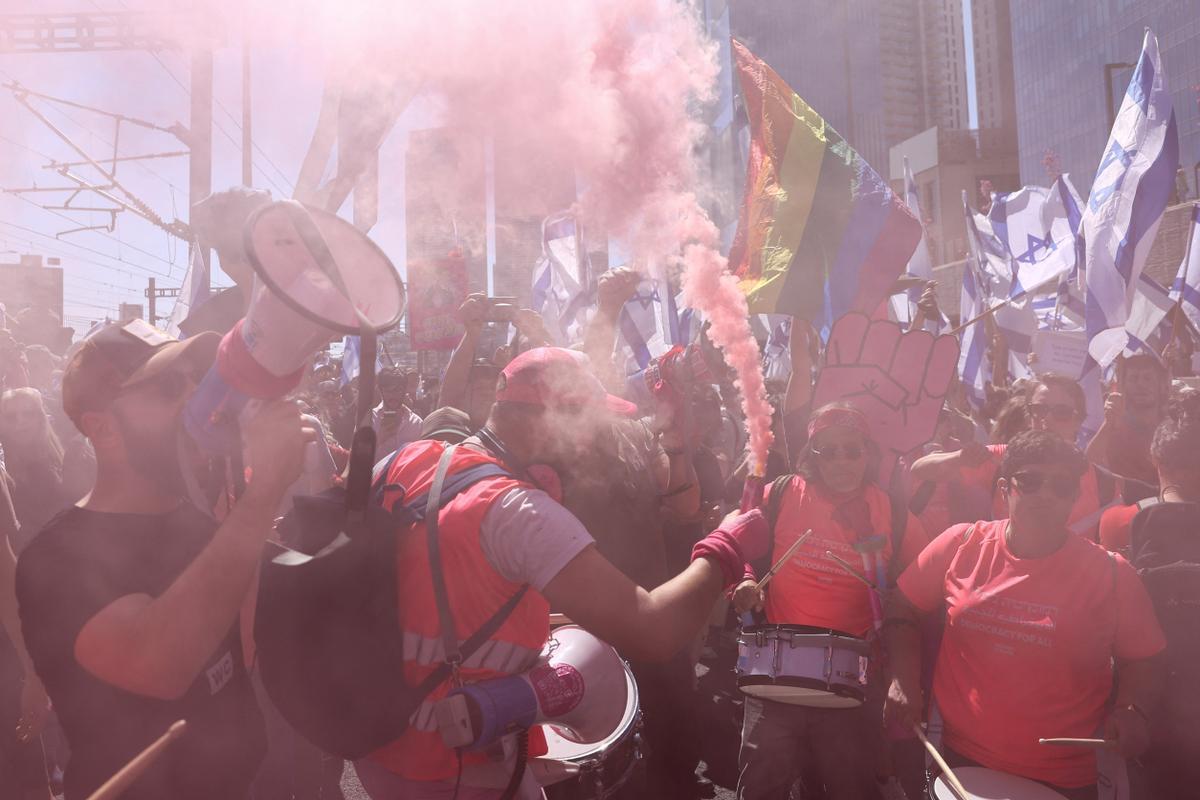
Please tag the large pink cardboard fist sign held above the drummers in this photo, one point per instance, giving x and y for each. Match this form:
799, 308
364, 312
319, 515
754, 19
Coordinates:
897, 378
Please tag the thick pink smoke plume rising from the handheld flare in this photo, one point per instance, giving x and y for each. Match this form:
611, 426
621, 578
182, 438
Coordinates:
608, 91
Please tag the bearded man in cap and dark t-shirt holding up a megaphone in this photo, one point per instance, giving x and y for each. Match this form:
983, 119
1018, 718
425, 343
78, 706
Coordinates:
130, 600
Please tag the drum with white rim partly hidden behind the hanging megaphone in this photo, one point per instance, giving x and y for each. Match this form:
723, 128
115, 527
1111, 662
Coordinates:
579, 772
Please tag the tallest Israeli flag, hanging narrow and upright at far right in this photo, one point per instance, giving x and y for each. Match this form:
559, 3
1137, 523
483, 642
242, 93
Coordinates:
1130, 194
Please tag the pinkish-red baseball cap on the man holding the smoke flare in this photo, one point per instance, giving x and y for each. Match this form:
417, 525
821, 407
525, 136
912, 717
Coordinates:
554, 377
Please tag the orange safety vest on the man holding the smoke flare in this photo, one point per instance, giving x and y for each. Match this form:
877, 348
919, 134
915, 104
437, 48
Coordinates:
476, 592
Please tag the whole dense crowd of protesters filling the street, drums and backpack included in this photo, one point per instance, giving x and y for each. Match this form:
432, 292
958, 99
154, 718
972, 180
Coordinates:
1015, 580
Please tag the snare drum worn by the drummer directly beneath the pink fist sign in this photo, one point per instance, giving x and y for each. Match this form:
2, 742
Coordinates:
803, 666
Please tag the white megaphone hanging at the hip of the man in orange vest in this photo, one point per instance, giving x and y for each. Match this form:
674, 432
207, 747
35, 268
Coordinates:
579, 689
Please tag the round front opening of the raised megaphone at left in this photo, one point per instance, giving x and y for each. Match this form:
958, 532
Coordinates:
323, 268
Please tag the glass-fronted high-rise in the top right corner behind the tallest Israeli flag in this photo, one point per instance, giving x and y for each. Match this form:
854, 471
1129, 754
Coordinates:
1060, 52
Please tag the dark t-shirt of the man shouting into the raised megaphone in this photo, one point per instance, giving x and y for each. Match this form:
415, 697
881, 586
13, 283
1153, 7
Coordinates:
81, 563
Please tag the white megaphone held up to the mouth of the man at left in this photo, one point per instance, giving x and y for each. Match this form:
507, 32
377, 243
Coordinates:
316, 278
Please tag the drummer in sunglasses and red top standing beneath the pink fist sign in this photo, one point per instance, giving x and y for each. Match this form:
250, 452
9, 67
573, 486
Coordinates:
836, 496
